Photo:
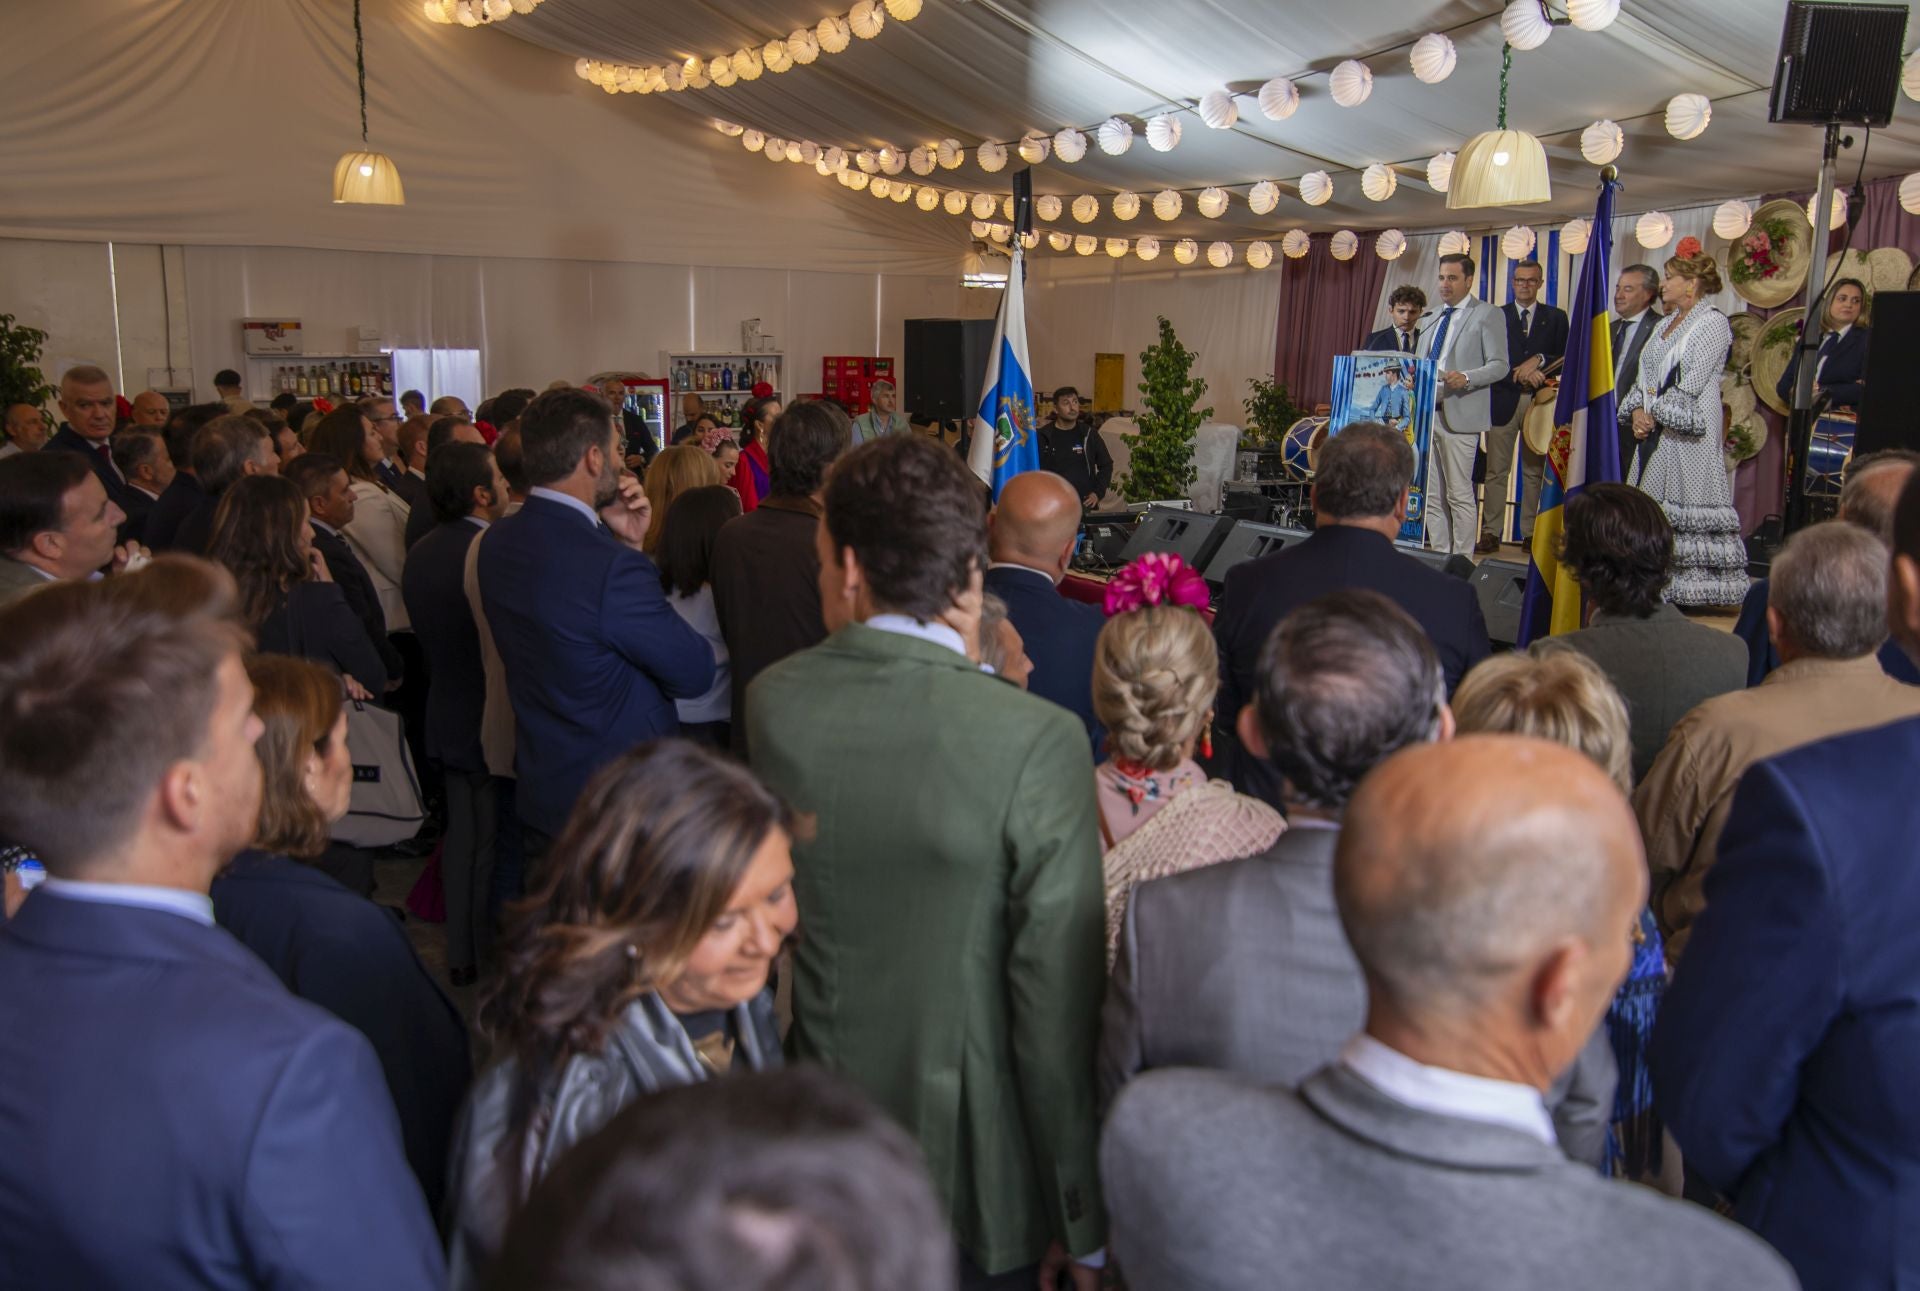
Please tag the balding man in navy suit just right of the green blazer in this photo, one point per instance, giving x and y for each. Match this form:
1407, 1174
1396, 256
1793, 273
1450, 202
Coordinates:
1032, 539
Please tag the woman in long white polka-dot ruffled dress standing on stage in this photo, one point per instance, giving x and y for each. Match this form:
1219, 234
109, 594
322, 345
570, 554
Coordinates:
1673, 412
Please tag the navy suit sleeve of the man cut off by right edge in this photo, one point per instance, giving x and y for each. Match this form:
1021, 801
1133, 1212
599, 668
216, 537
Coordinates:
1758, 990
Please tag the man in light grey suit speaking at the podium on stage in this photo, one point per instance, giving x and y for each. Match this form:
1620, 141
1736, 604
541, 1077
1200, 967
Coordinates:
1470, 351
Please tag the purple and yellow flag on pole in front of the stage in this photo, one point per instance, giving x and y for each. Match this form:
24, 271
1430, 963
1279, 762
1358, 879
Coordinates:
1587, 435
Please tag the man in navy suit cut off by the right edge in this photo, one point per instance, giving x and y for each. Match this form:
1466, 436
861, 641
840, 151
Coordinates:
1787, 1048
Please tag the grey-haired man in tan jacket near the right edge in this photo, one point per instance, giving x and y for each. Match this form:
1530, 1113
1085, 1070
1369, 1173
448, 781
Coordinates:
1827, 616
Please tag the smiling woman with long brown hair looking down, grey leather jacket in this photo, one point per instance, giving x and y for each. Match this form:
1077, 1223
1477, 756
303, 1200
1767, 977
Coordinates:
640, 963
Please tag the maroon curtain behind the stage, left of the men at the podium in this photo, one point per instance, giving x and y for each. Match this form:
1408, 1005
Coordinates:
1328, 308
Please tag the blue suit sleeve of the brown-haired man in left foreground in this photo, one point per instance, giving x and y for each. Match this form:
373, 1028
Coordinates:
331, 1202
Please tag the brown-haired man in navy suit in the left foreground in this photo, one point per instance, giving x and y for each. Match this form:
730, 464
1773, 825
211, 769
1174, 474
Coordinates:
174, 1117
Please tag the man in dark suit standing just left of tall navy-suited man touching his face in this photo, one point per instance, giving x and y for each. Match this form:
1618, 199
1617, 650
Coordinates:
468, 493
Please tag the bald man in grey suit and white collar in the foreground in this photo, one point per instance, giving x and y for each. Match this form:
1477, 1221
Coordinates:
1487, 889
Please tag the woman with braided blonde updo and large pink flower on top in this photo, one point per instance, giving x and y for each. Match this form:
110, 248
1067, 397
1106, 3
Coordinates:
1155, 675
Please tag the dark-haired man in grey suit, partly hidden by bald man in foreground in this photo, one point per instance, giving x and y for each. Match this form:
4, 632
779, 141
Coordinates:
1245, 967
